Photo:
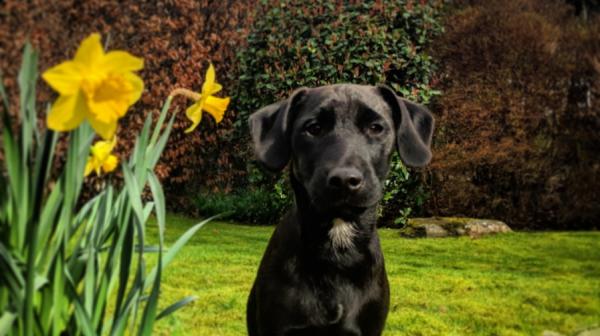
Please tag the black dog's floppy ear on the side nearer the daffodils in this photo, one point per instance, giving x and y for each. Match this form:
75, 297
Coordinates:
270, 127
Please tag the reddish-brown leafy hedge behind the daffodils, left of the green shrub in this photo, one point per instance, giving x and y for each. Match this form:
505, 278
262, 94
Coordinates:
176, 40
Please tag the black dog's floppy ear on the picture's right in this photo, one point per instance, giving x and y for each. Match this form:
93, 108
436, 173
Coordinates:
414, 128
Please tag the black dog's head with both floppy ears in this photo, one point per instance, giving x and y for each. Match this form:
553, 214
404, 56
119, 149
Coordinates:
340, 139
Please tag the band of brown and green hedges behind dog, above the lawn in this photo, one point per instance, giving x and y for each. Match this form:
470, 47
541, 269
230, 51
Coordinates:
517, 118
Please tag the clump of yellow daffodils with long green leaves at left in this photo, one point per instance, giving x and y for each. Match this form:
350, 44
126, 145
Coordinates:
69, 267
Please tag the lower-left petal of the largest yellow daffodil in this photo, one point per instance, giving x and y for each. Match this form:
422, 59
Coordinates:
67, 112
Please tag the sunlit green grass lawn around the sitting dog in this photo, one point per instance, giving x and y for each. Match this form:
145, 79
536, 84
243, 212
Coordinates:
512, 284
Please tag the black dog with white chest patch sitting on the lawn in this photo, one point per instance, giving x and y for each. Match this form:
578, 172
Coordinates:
323, 271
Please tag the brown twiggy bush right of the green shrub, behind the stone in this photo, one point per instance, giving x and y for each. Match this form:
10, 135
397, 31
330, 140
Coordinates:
519, 116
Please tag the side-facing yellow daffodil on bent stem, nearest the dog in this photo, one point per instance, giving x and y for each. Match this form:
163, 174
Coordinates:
205, 100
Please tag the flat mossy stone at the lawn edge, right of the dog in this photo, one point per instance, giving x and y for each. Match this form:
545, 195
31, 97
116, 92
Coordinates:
439, 227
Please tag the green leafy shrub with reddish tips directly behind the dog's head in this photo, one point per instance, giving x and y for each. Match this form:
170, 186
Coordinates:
312, 43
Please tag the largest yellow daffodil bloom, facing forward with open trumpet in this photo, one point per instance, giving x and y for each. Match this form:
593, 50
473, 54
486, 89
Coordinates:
94, 85
